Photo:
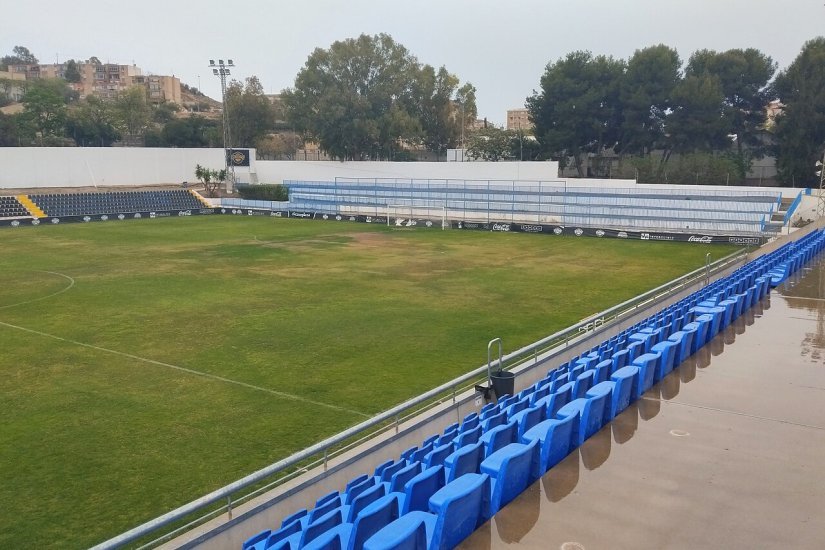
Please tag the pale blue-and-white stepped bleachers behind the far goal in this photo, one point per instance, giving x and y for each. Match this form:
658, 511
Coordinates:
670, 209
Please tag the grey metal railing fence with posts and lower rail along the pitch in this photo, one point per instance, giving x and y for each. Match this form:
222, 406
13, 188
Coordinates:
320, 453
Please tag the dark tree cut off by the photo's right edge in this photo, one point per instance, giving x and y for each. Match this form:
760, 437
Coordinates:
800, 128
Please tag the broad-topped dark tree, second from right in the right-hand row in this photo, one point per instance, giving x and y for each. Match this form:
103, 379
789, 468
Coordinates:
744, 77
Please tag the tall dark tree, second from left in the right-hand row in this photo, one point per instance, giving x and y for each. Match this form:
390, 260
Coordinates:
652, 74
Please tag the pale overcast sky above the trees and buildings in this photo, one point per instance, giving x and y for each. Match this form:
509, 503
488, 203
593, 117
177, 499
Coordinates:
500, 46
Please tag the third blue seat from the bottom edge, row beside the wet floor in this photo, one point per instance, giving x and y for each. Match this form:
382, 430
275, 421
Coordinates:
510, 470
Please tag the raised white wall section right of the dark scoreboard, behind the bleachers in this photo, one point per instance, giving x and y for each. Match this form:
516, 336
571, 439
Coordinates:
275, 171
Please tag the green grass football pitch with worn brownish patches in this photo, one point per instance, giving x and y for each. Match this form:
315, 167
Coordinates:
289, 331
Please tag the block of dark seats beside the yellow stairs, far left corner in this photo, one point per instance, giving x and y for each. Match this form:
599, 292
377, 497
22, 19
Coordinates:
80, 204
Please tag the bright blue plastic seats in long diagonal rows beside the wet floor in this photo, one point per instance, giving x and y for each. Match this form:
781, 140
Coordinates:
437, 493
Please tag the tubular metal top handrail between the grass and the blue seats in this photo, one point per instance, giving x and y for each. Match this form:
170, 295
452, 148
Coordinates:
527, 352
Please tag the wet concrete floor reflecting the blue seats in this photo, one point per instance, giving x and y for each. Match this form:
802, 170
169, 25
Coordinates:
728, 451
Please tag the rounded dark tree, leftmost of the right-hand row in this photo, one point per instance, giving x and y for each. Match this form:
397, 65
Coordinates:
577, 110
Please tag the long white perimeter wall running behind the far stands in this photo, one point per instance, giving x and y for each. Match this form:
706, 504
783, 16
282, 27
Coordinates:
33, 167
